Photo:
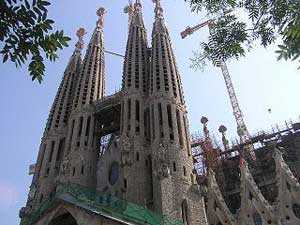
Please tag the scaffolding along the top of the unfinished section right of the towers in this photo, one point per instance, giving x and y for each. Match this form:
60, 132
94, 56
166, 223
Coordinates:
229, 152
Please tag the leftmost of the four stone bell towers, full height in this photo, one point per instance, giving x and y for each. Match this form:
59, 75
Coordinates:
53, 141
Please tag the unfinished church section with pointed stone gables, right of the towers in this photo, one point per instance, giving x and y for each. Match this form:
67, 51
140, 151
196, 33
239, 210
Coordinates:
239, 190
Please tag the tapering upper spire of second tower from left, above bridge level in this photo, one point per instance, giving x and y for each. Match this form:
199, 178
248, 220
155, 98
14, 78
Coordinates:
91, 85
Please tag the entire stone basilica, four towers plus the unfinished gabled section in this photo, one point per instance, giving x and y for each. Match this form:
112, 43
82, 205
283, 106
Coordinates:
129, 158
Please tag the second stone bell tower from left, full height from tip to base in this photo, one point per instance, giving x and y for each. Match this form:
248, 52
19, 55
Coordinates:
81, 153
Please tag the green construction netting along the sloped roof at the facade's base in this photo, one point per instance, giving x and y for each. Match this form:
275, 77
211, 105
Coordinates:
106, 204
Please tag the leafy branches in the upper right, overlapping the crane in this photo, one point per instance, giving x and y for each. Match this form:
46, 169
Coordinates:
230, 36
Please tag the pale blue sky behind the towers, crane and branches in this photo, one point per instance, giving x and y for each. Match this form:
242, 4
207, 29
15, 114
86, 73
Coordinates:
260, 81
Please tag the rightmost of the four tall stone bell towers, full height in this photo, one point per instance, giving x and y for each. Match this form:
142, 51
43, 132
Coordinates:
174, 185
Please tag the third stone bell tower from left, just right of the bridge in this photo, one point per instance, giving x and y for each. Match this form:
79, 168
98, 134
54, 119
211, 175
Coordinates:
134, 87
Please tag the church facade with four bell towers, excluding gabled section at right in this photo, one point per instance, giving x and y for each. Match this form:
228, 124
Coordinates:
146, 160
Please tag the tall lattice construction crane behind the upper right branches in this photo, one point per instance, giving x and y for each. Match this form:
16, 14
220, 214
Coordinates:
237, 112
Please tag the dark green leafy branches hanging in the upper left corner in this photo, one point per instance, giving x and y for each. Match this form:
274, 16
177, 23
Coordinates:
25, 33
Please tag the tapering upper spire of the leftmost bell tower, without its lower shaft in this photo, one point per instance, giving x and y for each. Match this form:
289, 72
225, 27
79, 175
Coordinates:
60, 110
